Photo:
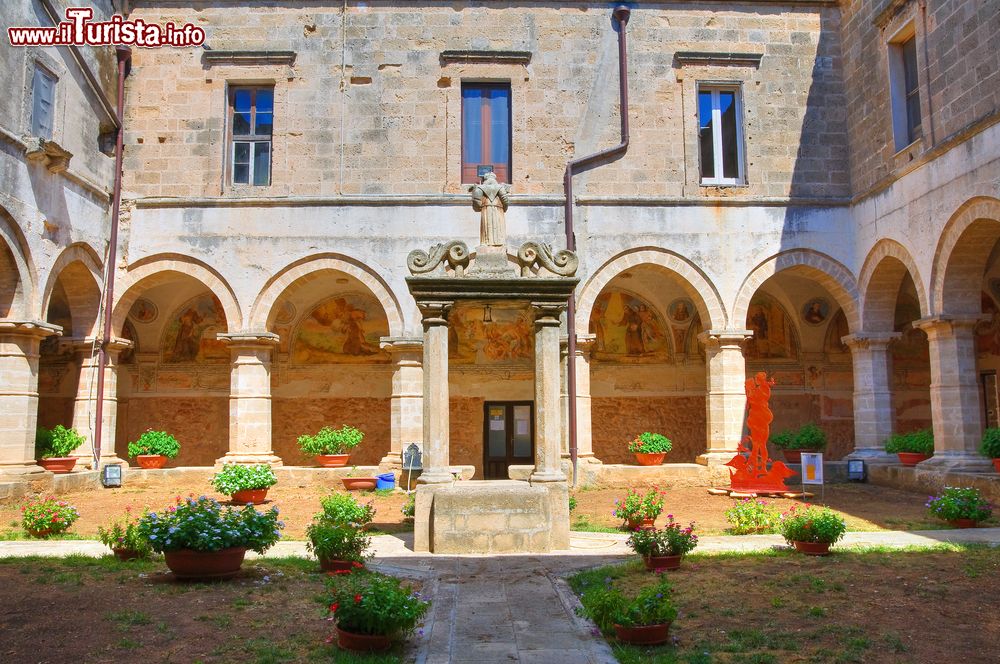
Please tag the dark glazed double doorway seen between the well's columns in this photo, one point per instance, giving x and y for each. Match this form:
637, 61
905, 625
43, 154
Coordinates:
508, 437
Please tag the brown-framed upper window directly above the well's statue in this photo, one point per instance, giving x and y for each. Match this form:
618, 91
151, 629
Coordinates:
485, 130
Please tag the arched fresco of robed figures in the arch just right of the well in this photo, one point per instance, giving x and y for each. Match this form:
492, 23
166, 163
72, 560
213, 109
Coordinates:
628, 329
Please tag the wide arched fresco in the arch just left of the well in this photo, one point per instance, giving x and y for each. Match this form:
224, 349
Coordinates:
341, 330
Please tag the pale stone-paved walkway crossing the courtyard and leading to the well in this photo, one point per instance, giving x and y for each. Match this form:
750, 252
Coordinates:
517, 607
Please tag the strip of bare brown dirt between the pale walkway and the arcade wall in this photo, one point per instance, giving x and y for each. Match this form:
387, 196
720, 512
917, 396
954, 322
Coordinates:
865, 507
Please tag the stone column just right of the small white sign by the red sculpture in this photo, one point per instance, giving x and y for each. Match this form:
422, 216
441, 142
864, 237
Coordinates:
873, 413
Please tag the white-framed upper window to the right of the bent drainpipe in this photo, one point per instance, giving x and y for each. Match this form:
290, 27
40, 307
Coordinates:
720, 135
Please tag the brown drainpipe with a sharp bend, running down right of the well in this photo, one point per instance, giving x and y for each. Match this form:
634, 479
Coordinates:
621, 14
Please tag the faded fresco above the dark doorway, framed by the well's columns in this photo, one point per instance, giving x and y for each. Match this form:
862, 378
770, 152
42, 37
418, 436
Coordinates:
508, 337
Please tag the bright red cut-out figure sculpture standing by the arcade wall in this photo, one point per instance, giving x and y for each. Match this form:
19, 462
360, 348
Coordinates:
755, 473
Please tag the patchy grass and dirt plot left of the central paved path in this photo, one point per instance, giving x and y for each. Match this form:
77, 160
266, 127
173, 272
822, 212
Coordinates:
80, 609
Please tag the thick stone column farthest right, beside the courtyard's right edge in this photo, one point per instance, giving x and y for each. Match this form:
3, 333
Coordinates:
956, 409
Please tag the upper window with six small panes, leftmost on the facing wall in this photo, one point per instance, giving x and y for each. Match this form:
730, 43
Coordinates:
251, 121
